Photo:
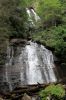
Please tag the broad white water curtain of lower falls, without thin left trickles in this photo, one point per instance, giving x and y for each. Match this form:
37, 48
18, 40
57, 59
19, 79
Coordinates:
40, 62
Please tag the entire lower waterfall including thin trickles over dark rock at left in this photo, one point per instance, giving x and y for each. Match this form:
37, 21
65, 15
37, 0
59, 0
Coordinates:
27, 65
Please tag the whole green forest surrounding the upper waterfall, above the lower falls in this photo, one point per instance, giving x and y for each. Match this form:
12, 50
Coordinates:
14, 24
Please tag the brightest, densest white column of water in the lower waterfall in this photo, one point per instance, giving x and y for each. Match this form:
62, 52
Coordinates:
33, 63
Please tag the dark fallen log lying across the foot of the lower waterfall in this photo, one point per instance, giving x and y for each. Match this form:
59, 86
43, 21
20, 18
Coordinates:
29, 89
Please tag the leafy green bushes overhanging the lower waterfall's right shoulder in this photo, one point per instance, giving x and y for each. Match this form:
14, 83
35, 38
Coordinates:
53, 37
